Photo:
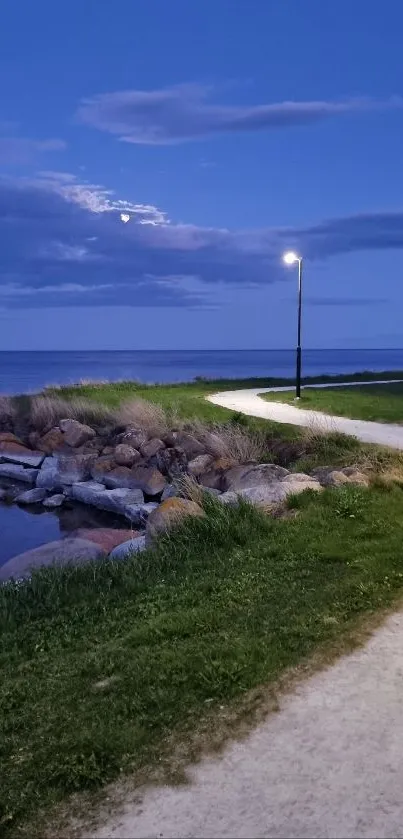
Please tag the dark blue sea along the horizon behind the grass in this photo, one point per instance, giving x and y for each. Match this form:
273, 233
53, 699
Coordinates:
22, 372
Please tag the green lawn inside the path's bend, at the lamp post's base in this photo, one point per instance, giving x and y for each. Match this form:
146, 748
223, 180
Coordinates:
383, 403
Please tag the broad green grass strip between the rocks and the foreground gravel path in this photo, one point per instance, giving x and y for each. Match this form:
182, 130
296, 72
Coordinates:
103, 666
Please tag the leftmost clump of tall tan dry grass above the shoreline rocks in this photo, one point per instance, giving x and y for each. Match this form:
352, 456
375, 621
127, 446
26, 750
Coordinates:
47, 411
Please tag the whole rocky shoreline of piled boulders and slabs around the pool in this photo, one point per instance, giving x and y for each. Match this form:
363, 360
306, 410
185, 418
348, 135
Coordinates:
136, 475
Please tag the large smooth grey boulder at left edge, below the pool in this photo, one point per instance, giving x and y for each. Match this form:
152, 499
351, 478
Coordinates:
64, 552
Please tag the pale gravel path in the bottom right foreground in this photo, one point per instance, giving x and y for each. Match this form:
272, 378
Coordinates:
328, 764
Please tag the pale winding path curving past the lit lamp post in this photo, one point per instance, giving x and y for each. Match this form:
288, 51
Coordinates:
249, 402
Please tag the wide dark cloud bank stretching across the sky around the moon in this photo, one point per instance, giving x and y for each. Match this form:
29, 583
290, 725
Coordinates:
63, 244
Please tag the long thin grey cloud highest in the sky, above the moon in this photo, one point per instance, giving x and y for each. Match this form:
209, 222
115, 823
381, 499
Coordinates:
183, 112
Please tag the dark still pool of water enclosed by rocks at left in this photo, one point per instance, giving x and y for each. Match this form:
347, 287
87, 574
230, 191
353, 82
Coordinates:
24, 528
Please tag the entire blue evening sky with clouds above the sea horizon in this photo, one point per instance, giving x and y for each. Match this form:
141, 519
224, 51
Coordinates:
229, 132
